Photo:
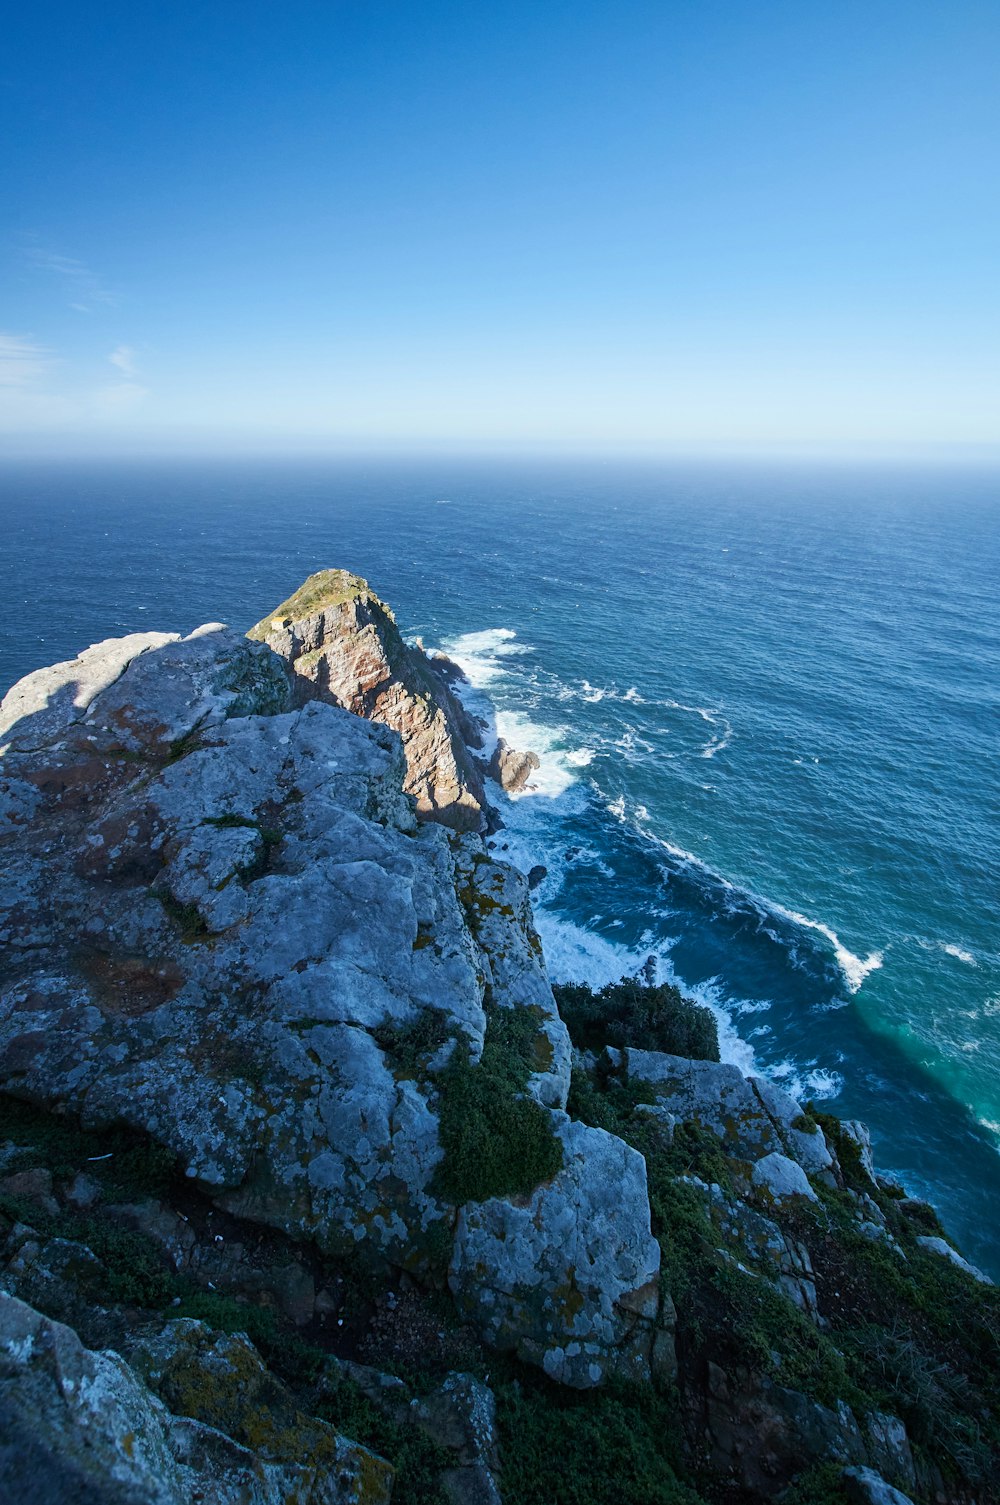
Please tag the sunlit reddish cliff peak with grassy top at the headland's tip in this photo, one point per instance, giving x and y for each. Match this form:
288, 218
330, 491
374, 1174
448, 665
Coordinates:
343, 645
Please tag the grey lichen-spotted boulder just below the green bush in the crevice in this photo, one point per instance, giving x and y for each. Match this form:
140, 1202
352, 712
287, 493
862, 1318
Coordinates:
569, 1275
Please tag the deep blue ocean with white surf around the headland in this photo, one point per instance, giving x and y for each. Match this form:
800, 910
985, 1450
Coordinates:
766, 699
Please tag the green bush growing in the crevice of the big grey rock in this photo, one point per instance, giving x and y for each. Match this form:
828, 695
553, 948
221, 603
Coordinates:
496, 1140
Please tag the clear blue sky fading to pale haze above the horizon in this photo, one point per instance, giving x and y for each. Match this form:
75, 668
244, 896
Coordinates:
677, 227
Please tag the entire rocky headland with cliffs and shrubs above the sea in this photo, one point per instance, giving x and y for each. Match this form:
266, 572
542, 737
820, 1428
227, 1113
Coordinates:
312, 1188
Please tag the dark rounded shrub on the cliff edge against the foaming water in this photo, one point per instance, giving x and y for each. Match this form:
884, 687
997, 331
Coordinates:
632, 1014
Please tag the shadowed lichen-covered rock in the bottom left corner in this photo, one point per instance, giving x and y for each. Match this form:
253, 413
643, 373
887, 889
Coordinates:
82, 1429
